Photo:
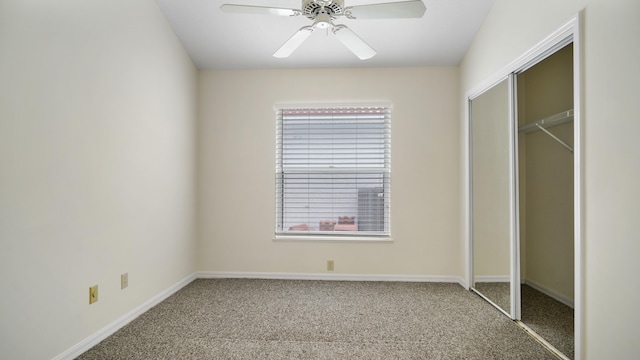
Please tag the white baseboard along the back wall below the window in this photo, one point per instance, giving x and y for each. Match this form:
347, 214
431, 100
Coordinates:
329, 277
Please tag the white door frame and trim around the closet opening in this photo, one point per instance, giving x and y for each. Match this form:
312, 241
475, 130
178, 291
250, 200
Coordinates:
569, 32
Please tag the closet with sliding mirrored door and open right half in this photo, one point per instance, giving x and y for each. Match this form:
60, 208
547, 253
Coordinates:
522, 239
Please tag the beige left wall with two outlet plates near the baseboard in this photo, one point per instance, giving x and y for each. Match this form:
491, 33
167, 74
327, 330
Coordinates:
97, 121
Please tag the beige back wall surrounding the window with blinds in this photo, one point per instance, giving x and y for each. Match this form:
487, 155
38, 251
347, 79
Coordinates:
237, 157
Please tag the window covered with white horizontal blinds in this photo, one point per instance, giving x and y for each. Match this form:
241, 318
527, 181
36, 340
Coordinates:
333, 171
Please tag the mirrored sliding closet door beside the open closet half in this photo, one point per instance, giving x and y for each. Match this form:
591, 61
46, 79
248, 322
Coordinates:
491, 195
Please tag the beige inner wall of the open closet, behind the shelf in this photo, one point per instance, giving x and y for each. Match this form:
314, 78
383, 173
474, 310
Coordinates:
546, 184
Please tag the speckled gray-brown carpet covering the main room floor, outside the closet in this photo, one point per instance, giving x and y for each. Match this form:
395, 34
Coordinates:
285, 319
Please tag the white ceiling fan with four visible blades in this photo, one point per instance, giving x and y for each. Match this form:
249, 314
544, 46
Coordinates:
322, 12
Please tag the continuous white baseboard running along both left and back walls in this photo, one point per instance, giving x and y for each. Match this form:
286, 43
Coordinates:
108, 330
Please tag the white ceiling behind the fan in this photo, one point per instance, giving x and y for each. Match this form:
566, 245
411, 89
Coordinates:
216, 40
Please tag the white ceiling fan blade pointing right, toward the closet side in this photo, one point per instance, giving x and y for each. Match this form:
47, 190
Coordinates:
392, 10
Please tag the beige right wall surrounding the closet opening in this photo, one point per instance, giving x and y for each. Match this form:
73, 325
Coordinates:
611, 158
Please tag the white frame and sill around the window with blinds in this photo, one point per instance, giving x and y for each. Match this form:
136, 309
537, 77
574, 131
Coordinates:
281, 233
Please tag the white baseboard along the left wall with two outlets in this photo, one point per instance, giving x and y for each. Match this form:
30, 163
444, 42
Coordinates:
108, 330
